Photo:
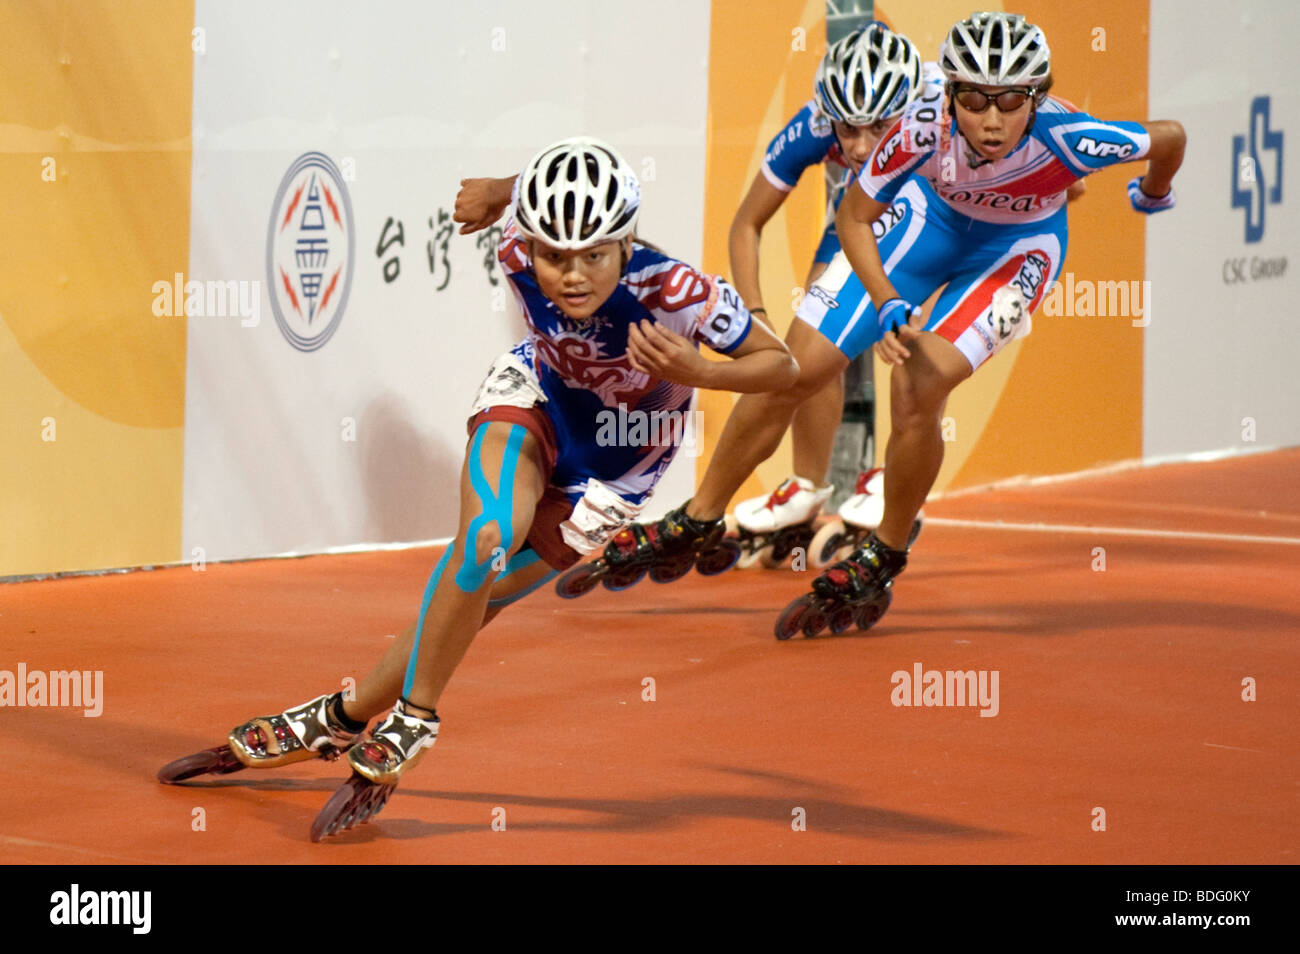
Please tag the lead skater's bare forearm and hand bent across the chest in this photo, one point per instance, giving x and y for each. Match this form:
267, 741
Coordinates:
762, 362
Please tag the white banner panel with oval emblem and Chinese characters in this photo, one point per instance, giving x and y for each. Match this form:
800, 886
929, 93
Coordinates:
339, 323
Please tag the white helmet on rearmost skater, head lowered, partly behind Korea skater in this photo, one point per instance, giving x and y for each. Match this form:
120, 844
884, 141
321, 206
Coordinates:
869, 76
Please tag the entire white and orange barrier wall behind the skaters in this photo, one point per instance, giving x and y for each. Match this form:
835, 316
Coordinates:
236, 322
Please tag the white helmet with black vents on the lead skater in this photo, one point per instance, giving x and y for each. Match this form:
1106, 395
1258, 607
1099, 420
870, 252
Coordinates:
578, 193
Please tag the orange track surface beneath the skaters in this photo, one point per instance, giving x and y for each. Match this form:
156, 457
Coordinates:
1119, 690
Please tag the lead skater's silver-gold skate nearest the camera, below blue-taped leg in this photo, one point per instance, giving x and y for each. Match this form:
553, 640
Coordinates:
395, 747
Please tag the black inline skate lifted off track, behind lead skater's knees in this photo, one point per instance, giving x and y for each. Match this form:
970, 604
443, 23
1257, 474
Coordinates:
666, 550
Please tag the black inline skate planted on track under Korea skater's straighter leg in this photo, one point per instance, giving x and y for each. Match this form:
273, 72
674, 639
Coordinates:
856, 591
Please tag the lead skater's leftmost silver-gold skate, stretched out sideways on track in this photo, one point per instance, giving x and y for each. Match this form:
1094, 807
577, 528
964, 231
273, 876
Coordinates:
311, 731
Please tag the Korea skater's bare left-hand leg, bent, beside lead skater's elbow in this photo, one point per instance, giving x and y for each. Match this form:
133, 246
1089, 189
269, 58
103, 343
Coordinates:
759, 422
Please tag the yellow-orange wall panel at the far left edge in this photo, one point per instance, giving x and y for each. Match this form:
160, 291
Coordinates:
96, 192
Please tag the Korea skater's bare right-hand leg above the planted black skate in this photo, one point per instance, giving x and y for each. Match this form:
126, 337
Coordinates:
918, 392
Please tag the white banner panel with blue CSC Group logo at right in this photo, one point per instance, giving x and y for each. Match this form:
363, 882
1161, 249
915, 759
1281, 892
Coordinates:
1223, 350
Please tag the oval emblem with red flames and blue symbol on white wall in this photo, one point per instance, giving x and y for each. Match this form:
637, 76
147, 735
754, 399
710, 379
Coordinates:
310, 246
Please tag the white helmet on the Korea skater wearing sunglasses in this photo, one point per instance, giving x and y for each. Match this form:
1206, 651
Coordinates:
996, 50
